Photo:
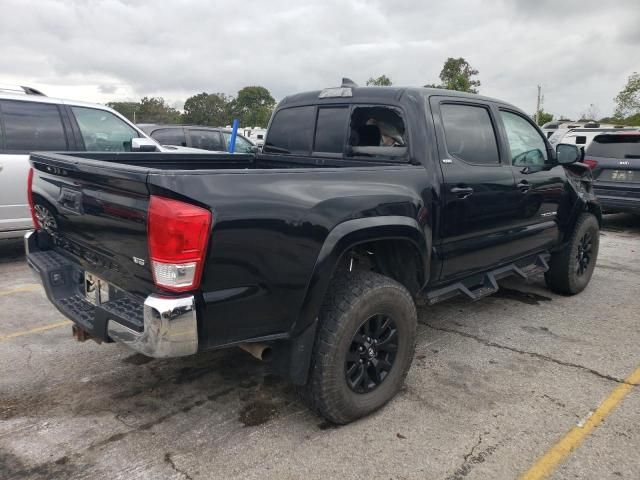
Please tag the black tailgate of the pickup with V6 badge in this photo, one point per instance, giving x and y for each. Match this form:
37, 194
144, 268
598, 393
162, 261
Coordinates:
96, 213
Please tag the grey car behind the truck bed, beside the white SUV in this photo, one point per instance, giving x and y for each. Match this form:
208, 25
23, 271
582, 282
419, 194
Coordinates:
214, 139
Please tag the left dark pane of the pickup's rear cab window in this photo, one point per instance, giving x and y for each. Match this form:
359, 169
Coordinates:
291, 131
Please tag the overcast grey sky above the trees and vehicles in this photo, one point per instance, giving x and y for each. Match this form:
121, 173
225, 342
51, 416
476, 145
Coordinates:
581, 52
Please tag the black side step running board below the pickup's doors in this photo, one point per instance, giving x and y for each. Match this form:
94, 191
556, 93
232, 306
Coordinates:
480, 285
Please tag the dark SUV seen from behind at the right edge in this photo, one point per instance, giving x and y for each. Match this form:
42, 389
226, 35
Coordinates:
614, 159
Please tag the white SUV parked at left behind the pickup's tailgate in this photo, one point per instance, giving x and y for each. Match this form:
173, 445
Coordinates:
30, 121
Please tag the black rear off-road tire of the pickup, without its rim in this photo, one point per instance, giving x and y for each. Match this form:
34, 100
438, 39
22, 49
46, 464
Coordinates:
352, 299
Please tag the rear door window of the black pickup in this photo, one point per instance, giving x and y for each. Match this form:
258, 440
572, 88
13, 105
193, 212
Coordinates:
469, 133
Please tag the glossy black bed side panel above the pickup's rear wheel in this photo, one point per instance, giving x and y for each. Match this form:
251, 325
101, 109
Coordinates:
269, 228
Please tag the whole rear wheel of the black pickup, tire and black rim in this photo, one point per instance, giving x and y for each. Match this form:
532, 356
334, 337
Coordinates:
364, 346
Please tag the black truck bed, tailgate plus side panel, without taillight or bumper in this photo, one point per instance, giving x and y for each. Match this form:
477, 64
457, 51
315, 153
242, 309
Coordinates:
270, 220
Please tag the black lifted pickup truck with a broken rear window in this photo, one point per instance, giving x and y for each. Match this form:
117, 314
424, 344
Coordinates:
313, 250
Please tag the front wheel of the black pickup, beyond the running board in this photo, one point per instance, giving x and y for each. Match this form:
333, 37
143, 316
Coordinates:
571, 268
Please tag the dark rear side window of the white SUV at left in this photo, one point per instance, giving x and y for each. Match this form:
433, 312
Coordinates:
32, 126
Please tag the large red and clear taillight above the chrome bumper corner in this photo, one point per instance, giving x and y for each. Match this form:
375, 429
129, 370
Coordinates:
178, 234
